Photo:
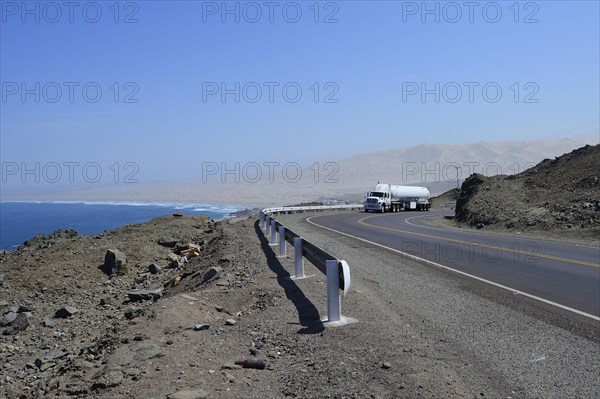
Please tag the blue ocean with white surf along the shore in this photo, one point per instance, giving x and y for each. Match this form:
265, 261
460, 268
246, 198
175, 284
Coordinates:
20, 221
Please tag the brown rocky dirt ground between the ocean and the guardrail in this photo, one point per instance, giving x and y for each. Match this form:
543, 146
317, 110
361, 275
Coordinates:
185, 307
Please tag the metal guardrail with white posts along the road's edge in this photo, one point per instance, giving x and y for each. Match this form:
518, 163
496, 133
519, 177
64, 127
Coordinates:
336, 270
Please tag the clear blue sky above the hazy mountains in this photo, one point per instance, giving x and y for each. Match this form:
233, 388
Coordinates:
153, 90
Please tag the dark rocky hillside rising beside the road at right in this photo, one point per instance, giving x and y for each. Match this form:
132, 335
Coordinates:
561, 194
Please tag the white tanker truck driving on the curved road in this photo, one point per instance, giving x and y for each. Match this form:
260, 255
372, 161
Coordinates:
391, 198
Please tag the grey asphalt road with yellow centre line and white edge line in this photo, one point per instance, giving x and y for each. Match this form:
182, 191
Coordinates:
564, 274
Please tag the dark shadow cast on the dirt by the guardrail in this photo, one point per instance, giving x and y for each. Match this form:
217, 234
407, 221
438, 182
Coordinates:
308, 314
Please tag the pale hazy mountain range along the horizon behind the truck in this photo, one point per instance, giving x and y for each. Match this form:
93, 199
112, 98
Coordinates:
432, 165
